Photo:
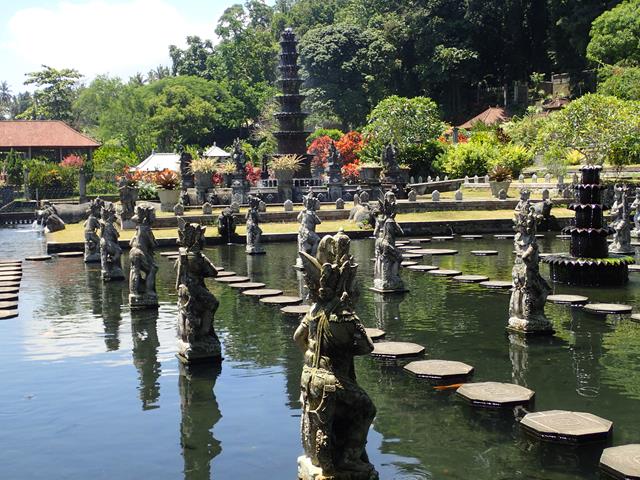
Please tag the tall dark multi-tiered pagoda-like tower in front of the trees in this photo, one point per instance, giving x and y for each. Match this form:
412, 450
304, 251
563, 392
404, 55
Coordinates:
291, 136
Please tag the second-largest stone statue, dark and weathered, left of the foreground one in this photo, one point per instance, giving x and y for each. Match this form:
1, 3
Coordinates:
197, 340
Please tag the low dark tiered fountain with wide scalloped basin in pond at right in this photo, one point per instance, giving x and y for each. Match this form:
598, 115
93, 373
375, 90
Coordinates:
589, 262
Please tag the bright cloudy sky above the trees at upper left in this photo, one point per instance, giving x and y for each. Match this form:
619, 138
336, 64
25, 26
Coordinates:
116, 37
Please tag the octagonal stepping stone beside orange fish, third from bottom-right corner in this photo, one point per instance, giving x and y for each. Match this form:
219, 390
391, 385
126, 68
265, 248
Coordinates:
495, 394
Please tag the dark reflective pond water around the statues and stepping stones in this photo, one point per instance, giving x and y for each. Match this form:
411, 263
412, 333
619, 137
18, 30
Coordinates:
93, 390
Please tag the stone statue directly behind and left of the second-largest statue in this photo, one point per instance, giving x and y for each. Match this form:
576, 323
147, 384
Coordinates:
142, 274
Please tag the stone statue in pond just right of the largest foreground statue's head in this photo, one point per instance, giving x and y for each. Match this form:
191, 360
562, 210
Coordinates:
386, 277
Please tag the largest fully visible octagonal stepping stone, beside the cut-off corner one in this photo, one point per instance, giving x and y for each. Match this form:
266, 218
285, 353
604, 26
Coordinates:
566, 427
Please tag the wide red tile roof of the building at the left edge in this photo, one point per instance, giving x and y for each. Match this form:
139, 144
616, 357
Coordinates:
41, 134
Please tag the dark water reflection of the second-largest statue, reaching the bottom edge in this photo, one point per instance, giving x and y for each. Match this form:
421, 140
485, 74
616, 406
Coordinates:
200, 413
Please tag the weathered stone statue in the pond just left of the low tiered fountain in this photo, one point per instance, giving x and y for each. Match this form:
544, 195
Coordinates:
530, 290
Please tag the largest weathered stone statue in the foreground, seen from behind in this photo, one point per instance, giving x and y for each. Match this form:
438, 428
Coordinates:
336, 411
